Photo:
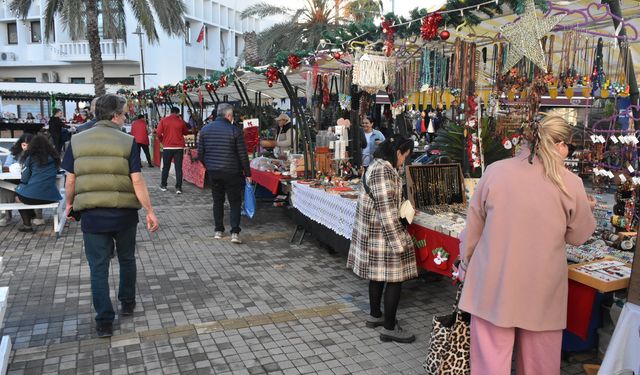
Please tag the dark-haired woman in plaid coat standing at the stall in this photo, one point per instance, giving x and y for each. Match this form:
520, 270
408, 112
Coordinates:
382, 250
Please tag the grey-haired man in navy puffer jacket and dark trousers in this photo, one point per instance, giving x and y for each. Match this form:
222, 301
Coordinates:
222, 150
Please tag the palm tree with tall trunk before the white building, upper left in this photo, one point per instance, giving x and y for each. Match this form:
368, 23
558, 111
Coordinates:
80, 18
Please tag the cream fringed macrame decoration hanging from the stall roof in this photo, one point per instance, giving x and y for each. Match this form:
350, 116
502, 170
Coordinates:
373, 73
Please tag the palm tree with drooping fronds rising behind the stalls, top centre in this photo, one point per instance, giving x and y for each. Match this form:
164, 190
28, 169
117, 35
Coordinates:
305, 26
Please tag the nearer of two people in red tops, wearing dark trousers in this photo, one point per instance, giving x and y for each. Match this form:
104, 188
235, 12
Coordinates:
171, 131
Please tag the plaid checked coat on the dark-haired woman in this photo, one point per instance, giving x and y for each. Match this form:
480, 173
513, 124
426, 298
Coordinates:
381, 248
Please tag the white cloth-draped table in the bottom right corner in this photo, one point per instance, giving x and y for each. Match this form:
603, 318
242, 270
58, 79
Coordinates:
624, 346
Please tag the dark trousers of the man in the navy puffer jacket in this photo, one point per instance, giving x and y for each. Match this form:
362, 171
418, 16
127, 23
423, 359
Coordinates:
232, 185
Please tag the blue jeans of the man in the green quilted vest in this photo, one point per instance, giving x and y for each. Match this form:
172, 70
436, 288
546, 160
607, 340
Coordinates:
98, 248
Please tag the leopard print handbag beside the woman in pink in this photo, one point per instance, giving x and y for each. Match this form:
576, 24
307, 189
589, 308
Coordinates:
449, 346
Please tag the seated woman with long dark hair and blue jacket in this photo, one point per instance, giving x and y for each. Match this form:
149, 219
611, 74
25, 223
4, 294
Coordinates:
40, 164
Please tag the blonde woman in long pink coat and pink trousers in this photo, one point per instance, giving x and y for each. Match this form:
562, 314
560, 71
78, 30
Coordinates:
523, 213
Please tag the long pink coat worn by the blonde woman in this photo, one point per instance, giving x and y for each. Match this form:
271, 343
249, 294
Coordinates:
517, 227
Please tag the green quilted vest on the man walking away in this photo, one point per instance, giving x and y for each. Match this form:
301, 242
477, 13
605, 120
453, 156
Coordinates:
101, 165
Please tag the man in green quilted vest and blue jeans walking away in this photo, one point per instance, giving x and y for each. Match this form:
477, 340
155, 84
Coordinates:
105, 185
